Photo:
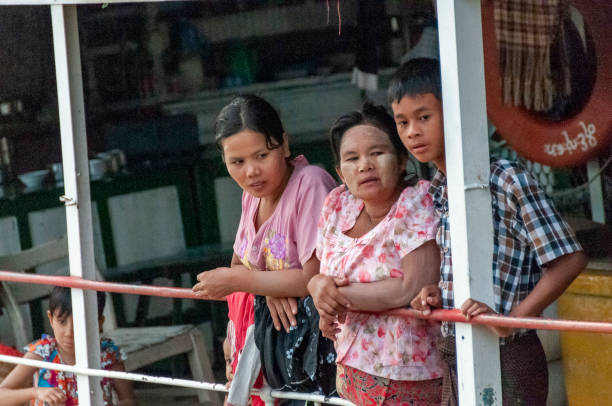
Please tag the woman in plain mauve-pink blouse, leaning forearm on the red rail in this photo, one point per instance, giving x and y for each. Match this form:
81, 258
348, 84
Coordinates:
281, 204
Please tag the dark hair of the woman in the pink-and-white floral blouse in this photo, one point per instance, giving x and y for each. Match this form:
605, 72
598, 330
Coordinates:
370, 114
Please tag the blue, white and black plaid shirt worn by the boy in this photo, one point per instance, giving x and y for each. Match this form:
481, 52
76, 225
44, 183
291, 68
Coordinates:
528, 233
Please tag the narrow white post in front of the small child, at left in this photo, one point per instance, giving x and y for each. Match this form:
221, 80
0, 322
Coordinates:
77, 196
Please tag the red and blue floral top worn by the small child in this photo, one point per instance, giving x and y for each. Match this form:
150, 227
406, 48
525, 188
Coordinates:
46, 348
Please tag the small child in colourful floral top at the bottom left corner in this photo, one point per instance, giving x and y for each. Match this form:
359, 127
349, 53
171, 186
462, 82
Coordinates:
57, 388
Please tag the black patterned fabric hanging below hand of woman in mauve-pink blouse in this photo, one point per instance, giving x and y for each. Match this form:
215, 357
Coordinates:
301, 360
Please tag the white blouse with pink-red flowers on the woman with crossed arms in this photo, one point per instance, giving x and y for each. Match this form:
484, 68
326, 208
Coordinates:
387, 346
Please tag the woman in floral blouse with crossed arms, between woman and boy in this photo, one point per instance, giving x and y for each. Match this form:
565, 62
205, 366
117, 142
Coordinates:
377, 228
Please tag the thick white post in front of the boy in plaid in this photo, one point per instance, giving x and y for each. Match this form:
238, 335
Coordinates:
467, 167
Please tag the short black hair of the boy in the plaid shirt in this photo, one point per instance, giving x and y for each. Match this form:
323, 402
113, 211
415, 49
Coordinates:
415, 77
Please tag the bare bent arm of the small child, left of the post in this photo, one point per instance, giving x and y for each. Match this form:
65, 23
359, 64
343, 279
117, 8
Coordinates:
13, 390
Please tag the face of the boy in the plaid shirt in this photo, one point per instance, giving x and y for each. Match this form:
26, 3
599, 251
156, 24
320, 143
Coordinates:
420, 126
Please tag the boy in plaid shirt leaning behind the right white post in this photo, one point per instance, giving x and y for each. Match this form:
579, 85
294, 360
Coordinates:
535, 255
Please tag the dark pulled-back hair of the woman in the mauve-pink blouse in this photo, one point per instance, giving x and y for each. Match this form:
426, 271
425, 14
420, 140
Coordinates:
249, 112
